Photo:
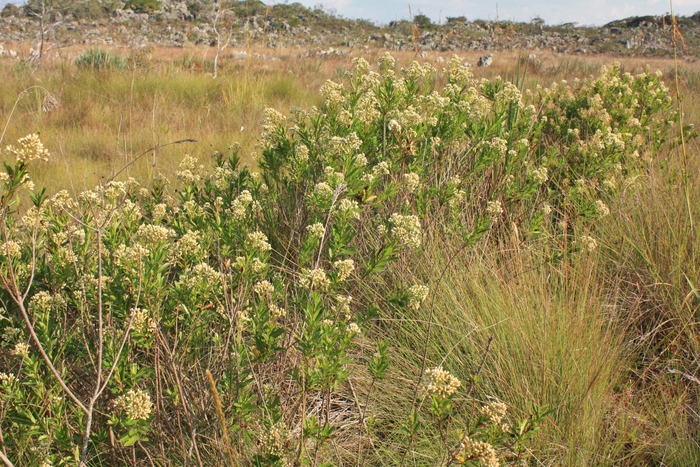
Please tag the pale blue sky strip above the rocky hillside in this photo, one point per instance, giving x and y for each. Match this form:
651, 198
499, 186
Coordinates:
583, 12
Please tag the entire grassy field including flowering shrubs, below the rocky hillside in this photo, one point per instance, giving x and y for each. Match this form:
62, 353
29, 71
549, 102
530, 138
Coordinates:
295, 298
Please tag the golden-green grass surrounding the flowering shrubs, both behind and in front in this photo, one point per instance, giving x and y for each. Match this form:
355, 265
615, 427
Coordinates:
607, 339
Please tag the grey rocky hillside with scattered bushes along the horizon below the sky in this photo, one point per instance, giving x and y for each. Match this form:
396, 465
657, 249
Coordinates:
181, 23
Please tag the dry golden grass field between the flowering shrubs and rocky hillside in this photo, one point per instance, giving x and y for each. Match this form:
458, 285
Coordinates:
105, 119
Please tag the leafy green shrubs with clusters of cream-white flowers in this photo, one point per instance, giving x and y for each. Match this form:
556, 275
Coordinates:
119, 300
